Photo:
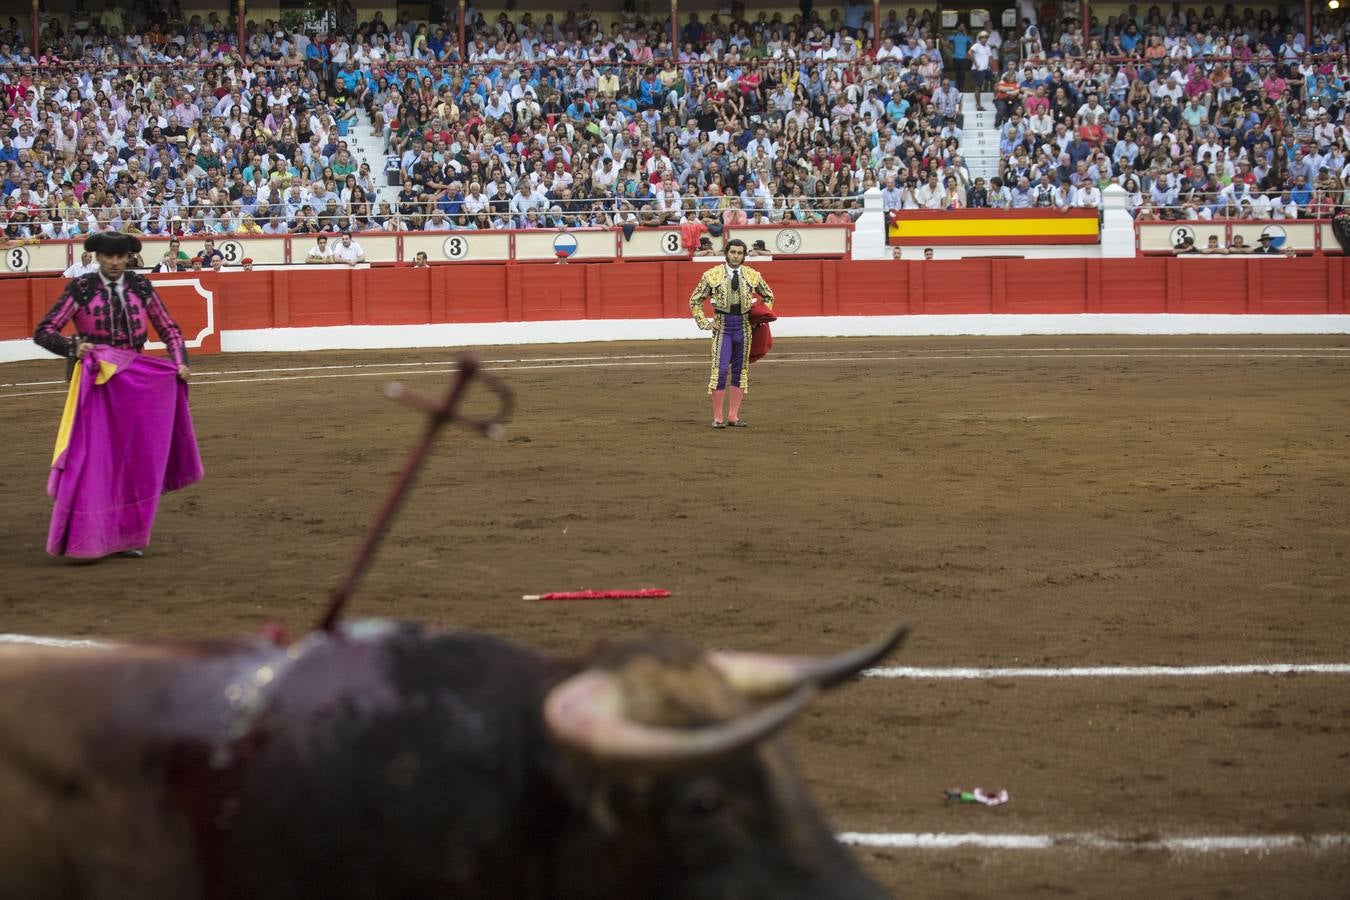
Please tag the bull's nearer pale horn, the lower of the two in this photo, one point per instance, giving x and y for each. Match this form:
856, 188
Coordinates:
587, 713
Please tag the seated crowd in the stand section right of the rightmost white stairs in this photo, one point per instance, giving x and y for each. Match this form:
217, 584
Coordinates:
1195, 114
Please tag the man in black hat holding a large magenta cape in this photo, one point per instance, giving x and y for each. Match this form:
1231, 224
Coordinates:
126, 435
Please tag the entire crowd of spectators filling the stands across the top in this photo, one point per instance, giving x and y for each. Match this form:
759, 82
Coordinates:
137, 119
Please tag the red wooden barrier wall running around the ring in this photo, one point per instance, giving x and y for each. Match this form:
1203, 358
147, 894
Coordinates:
488, 293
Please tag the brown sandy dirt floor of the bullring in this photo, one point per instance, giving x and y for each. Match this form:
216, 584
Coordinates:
1021, 503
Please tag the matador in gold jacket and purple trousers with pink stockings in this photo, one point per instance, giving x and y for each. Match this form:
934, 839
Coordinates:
731, 288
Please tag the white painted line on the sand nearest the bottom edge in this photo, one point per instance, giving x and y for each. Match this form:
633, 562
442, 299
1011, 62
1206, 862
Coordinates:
1198, 844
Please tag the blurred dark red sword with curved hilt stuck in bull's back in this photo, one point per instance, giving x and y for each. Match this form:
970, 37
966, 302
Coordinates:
438, 415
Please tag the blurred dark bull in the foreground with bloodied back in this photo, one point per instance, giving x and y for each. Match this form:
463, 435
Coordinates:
387, 762
